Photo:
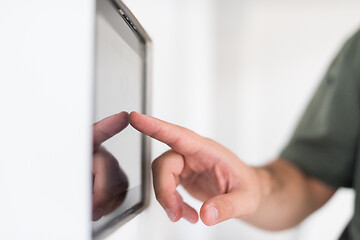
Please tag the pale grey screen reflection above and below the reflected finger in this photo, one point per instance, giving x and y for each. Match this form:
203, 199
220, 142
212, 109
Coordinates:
118, 88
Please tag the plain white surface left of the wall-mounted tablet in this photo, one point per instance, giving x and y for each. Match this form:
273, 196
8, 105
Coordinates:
45, 86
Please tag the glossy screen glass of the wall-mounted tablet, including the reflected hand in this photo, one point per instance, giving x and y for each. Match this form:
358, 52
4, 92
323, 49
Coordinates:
119, 89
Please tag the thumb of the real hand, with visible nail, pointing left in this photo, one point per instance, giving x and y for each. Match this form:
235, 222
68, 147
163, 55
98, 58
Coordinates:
222, 207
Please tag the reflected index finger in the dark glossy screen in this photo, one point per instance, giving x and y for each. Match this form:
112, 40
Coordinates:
108, 127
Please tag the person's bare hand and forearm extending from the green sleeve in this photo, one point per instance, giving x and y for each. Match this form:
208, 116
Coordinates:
275, 197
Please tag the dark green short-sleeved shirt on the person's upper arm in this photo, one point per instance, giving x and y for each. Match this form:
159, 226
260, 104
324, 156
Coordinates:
326, 142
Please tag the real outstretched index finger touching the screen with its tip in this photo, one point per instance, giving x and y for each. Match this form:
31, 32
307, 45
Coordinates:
180, 139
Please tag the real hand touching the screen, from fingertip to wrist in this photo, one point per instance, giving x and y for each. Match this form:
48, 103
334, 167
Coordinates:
206, 169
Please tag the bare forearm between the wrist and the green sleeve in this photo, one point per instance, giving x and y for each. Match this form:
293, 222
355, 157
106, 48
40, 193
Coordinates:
288, 196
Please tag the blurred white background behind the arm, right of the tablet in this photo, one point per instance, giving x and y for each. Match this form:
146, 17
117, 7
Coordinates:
240, 72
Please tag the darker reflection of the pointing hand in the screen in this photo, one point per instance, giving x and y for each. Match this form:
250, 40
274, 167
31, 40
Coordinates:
110, 182
